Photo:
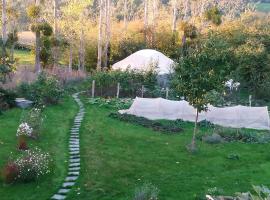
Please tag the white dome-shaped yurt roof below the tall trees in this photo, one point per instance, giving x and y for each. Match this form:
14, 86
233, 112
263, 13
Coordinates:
143, 60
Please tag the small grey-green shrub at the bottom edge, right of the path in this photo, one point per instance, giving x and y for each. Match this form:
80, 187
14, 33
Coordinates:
146, 192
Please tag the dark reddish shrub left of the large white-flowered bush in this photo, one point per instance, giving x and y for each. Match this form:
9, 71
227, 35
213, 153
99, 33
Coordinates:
10, 172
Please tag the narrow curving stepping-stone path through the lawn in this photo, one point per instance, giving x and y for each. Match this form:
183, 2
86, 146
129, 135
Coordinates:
74, 154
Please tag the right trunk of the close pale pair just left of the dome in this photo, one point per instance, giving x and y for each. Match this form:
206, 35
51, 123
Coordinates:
108, 32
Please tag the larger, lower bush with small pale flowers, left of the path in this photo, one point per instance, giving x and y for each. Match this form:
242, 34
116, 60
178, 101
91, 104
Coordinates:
33, 164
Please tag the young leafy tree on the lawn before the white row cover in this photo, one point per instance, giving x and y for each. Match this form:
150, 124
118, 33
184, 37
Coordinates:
202, 70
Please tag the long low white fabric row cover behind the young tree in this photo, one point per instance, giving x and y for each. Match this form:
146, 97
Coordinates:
235, 117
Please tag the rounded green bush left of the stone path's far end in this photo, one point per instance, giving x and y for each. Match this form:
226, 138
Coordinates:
46, 90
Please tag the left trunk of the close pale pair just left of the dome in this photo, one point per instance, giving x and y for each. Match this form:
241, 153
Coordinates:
99, 61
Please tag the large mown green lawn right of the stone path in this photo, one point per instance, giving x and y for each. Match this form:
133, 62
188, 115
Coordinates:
117, 157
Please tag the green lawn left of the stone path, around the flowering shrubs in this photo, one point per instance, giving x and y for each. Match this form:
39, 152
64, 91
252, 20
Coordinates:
54, 139
